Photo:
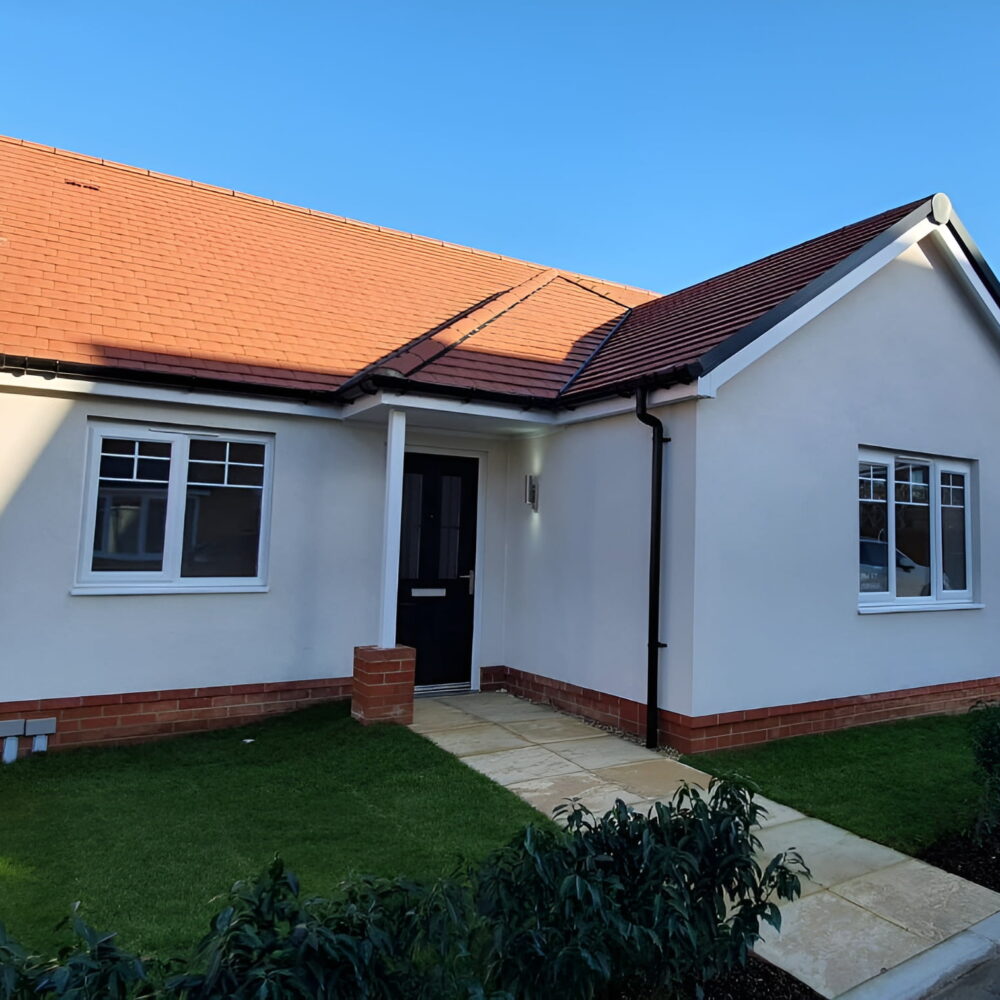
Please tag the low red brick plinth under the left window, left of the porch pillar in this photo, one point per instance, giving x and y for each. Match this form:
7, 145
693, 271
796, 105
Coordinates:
114, 719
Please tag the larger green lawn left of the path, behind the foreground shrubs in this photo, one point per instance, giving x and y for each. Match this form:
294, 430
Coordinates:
146, 836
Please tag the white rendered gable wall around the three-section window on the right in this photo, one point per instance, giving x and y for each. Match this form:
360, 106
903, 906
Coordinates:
904, 362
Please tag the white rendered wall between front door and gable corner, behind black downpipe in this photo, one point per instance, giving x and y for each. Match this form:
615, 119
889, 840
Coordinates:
577, 570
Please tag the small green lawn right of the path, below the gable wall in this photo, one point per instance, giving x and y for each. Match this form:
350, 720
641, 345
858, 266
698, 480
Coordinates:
904, 784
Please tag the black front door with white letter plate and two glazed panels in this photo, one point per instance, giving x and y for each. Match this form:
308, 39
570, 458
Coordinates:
437, 561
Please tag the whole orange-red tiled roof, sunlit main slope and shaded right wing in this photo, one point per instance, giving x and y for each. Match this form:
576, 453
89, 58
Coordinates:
109, 266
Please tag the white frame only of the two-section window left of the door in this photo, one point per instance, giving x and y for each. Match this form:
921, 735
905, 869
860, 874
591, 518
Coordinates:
167, 580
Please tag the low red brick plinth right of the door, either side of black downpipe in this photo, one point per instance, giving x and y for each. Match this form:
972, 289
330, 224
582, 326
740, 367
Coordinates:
696, 734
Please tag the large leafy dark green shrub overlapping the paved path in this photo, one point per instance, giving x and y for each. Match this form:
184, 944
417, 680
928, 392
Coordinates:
669, 899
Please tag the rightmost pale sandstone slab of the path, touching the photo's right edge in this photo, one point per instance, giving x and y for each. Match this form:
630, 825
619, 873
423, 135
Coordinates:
924, 900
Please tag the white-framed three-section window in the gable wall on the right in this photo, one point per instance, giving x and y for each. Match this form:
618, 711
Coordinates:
915, 530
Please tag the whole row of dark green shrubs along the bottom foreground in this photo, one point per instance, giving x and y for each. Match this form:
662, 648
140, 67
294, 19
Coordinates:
629, 901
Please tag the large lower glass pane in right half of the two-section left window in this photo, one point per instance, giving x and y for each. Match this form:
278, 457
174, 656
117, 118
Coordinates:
221, 531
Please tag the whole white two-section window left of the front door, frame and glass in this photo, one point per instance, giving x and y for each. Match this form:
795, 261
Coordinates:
174, 509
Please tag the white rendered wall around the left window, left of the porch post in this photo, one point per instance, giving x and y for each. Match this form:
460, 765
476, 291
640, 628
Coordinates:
324, 562
